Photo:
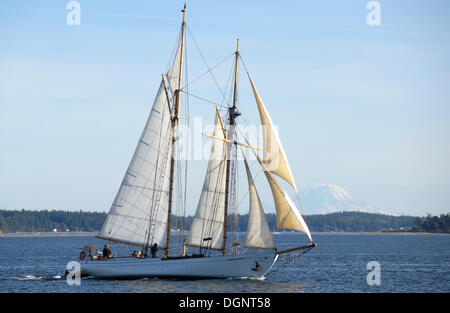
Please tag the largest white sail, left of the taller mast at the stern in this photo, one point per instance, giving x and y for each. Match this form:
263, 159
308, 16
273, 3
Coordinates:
138, 215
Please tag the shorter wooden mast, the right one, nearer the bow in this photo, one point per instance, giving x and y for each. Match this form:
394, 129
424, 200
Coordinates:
232, 114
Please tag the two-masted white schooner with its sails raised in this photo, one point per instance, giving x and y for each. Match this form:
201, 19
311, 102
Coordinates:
141, 213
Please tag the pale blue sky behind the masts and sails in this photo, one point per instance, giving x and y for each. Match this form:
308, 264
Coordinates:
363, 107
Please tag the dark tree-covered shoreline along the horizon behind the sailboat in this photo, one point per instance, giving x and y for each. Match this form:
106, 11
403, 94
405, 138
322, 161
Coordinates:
12, 221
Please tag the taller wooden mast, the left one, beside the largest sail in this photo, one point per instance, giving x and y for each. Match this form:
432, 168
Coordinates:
175, 117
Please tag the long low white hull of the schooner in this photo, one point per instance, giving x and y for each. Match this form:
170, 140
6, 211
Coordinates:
240, 266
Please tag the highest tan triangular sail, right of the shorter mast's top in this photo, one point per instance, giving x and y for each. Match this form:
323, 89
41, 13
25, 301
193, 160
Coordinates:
273, 153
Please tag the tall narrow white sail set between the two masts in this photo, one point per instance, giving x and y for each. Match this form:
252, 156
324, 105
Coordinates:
207, 226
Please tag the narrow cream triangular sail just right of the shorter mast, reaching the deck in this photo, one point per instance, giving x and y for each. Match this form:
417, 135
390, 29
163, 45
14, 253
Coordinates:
258, 231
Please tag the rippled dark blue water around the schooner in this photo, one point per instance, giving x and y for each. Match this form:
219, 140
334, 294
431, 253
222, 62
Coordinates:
409, 263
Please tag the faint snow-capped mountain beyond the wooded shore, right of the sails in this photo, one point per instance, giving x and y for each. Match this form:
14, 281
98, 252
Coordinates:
329, 198
